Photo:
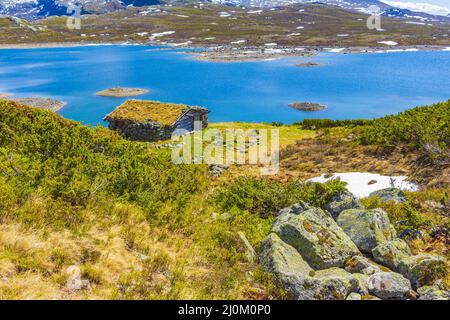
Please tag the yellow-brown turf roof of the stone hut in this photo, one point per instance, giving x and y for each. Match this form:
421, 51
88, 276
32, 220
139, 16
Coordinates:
144, 110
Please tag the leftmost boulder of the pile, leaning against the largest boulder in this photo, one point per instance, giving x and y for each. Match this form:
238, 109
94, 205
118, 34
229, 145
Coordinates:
288, 267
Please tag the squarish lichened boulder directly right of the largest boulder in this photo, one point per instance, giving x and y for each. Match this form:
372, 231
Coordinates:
366, 228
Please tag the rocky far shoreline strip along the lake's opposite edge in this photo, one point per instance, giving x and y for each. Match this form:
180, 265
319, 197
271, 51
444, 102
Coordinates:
229, 53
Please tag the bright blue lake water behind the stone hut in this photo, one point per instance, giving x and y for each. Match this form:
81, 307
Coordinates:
352, 85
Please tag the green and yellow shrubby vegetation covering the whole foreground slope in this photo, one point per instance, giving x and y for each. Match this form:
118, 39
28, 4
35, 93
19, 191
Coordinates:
139, 227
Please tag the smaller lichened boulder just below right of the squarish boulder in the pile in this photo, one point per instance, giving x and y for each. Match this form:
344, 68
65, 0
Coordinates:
390, 253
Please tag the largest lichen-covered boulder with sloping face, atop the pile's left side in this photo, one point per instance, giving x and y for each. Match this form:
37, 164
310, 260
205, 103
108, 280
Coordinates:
316, 236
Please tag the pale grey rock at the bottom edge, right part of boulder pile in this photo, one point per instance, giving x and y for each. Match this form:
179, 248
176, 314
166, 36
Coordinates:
389, 285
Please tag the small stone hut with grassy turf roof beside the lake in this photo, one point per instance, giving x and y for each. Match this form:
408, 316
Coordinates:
142, 120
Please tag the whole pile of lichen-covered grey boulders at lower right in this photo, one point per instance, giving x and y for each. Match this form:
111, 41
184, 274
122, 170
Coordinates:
347, 252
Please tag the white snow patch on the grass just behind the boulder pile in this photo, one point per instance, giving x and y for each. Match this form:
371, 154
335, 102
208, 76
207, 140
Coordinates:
358, 182
